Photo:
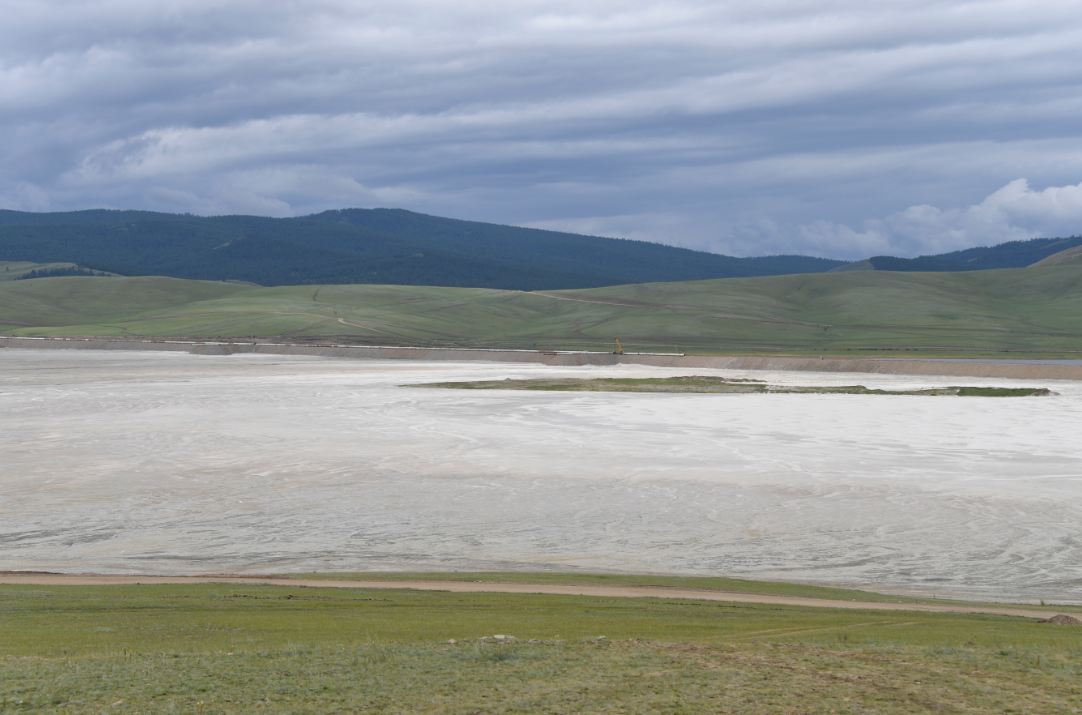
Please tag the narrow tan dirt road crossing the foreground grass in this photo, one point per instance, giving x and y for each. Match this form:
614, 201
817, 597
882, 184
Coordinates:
561, 590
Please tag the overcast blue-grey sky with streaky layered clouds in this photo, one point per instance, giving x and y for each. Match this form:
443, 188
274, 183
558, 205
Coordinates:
835, 128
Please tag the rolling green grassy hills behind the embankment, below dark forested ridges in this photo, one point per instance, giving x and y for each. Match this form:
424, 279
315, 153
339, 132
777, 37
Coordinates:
1037, 311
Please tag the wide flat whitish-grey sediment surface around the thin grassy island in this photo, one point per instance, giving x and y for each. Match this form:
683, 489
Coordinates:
171, 464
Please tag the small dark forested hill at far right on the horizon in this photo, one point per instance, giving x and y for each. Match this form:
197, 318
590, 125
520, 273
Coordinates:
1013, 255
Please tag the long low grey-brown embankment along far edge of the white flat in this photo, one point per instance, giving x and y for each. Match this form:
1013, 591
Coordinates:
975, 368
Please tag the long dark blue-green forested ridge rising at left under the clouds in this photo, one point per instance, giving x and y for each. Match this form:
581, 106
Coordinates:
354, 246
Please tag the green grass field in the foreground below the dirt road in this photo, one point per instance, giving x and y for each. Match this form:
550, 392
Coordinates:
229, 648
